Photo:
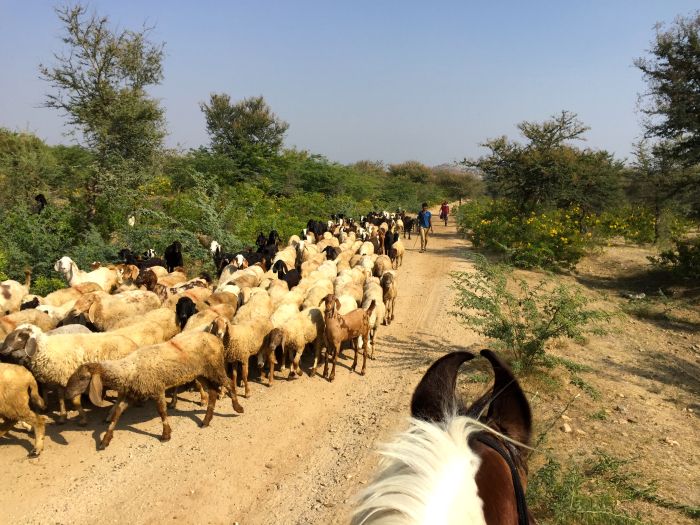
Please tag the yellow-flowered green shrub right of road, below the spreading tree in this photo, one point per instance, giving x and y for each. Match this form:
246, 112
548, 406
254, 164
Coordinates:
546, 238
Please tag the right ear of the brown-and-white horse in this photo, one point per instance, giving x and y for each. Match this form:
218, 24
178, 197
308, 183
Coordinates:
509, 408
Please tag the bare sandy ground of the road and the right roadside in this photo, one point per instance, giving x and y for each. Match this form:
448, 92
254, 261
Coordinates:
304, 448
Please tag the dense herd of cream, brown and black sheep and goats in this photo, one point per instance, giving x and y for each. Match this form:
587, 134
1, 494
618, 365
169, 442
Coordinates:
141, 328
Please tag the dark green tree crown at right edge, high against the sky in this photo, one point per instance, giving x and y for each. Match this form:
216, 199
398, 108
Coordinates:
672, 73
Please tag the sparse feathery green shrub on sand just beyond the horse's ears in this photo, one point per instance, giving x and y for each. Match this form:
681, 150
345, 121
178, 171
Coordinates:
522, 321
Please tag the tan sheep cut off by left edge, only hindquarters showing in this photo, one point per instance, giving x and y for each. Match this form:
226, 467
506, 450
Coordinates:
18, 389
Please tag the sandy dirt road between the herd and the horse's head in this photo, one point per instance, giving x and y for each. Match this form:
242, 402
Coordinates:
298, 454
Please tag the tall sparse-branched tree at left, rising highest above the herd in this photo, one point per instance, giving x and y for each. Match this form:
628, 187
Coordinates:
100, 83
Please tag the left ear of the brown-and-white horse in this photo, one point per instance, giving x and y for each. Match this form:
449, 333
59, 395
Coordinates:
434, 397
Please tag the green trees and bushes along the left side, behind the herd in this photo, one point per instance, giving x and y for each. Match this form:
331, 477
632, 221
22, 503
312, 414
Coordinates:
243, 182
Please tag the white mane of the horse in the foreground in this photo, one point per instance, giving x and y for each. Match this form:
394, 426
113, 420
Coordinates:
427, 476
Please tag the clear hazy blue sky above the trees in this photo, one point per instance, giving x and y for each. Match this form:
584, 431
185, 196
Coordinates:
379, 80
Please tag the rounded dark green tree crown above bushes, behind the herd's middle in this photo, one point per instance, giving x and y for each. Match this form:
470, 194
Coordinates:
247, 131
